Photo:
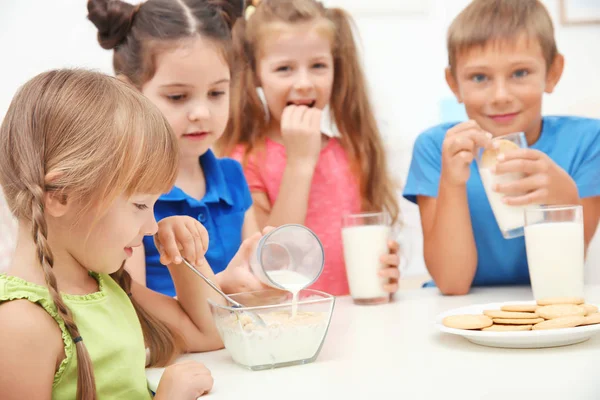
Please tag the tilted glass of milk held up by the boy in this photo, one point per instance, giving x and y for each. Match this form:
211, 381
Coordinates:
510, 219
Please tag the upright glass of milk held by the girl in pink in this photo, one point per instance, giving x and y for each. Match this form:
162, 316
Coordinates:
365, 239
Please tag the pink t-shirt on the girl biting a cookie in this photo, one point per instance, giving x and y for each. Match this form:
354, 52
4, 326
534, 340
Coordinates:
333, 194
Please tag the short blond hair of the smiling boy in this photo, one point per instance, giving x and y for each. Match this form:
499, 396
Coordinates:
484, 21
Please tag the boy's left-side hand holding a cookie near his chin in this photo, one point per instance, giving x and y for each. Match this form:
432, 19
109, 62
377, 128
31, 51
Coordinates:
460, 149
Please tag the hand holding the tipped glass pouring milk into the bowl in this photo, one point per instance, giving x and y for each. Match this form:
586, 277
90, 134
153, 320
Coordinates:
238, 276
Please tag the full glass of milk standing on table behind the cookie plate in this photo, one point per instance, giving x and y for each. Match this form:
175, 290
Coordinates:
555, 250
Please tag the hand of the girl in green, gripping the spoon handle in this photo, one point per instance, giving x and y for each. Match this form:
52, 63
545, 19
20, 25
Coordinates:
181, 236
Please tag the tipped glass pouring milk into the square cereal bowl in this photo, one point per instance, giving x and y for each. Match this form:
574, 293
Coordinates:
290, 257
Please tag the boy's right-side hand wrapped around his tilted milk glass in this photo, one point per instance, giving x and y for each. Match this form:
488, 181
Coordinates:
544, 182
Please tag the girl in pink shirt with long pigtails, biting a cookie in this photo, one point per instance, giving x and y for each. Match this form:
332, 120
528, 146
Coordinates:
296, 58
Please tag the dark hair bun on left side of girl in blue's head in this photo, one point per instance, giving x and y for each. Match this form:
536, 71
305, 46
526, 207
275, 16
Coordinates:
113, 18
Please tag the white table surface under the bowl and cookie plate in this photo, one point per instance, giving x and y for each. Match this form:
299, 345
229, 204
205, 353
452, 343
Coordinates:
394, 351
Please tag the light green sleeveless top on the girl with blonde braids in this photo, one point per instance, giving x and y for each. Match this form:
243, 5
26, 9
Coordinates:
110, 329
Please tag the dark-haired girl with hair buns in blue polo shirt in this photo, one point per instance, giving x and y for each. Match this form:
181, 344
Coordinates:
178, 55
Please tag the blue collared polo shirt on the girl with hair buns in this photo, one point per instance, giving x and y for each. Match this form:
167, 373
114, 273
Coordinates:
221, 211
